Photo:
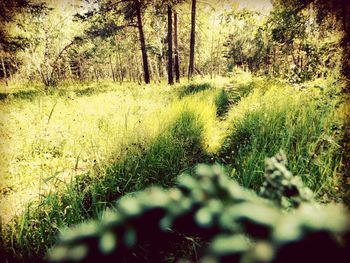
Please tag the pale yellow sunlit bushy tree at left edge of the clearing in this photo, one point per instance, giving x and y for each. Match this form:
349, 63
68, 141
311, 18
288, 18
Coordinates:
51, 35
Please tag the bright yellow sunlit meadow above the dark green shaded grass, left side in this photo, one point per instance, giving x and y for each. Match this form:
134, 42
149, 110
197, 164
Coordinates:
55, 137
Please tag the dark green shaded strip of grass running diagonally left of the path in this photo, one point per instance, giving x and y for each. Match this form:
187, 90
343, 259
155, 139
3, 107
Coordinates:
174, 151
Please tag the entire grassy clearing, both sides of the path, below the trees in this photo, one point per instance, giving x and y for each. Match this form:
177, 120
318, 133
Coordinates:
69, 154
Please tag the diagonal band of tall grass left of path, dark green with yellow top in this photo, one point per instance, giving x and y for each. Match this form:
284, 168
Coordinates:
154, 153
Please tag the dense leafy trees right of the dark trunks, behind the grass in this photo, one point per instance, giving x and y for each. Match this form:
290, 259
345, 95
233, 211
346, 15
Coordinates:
289, 42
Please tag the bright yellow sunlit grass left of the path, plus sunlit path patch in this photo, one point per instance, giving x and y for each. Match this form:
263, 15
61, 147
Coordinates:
49, 139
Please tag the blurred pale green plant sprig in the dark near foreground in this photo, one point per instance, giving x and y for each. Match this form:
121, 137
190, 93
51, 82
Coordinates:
239, 226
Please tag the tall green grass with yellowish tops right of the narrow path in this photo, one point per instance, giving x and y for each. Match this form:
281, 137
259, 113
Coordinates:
303, 122
